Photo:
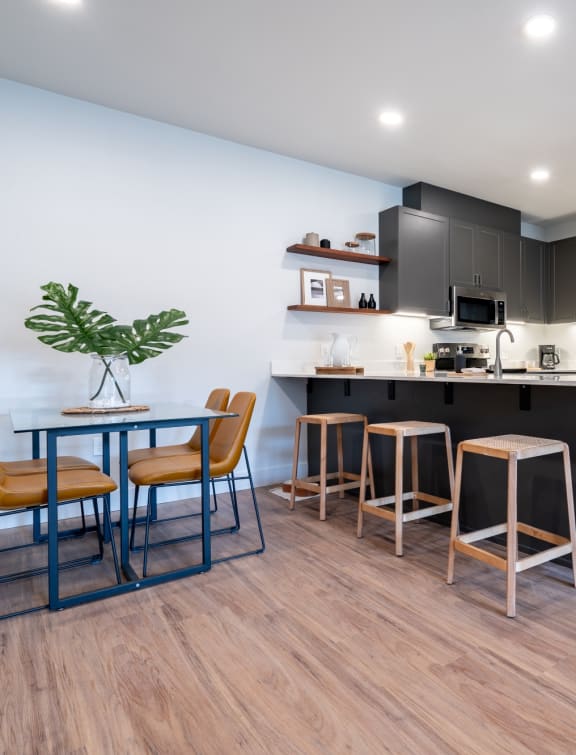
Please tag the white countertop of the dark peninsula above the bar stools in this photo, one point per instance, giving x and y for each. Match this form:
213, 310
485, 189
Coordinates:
285, 369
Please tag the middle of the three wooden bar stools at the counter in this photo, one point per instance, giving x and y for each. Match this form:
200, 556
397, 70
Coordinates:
412, 429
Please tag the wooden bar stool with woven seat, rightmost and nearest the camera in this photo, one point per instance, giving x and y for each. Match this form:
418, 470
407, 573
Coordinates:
512, 448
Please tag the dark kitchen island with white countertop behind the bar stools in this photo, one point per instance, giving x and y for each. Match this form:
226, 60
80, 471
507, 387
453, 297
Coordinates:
472, 406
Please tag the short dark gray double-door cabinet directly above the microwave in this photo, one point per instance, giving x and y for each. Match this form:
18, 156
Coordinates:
475, 254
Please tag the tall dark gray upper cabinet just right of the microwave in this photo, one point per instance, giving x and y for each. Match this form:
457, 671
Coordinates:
524, 277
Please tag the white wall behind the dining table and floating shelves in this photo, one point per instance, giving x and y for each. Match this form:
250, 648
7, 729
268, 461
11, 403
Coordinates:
144, 216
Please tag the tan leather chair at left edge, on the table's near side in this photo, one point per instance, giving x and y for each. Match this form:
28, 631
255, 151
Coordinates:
23, 491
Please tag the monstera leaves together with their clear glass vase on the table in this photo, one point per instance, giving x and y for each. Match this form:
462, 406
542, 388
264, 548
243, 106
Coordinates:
72, 324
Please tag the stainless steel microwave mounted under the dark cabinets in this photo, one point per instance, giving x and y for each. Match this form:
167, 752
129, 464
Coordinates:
473, 308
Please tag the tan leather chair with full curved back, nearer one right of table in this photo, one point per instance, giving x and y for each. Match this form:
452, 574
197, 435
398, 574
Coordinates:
226, 448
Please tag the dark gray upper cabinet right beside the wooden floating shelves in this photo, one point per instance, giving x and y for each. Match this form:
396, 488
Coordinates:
417, 243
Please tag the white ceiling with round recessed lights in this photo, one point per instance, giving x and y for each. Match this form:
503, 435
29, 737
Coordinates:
308, 78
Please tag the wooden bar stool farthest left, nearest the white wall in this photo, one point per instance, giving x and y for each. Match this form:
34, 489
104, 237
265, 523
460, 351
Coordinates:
318, 483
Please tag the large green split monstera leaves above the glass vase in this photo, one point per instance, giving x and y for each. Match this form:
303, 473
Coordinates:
70, 324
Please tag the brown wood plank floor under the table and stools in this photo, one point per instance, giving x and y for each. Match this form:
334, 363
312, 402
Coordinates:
324, 644
